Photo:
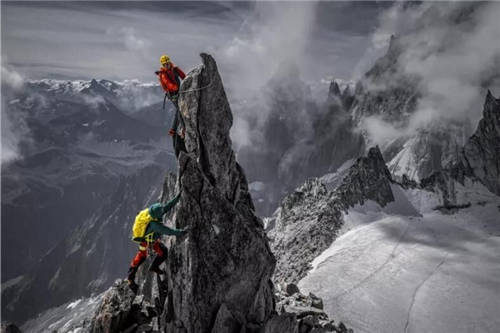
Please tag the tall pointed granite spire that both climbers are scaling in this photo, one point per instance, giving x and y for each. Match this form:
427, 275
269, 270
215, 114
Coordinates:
220, 271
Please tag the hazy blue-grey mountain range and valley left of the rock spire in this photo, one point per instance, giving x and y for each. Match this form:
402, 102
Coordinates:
80, 156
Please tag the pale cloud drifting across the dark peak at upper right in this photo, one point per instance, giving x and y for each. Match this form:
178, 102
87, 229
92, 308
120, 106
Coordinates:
454, 50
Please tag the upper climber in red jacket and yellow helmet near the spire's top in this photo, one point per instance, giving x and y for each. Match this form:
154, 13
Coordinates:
170, 78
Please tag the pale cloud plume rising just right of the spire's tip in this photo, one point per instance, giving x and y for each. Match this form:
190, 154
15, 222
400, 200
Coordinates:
271, 41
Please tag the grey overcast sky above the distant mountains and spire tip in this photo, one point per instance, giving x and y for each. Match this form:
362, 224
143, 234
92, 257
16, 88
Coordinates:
124, 40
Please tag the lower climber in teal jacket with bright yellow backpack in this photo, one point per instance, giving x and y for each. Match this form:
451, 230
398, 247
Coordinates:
148, 229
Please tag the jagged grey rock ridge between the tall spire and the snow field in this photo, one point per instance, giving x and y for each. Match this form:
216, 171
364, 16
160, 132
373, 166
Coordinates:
309, 219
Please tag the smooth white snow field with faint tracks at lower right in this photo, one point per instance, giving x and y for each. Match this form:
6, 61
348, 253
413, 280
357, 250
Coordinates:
409, 268
